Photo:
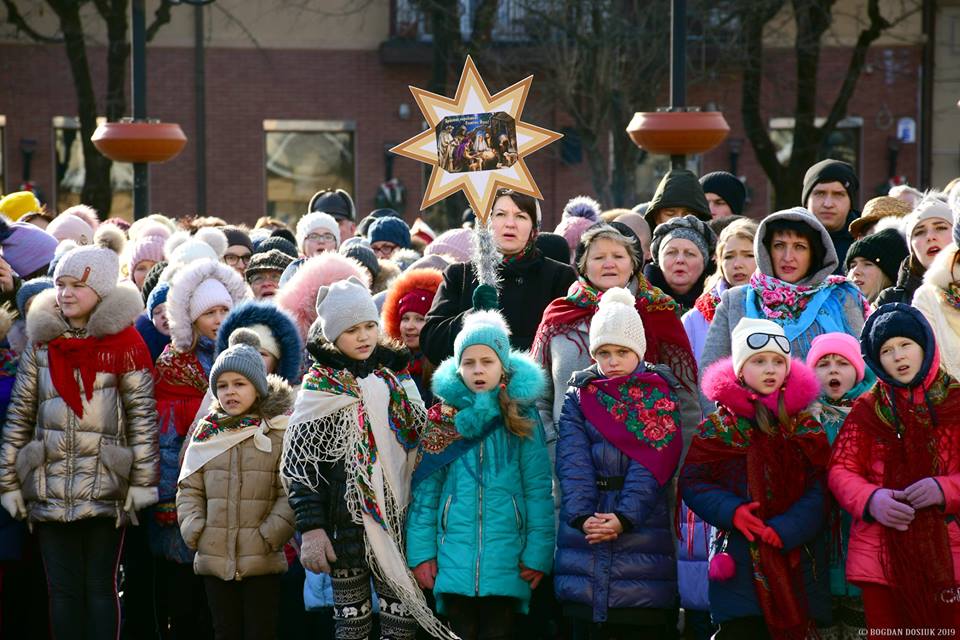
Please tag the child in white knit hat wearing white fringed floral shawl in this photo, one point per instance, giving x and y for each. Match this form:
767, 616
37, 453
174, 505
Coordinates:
349, 452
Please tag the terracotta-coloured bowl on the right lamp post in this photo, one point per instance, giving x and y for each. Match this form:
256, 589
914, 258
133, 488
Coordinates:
678, 133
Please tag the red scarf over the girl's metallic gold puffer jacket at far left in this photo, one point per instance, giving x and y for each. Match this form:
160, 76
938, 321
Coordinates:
116, 354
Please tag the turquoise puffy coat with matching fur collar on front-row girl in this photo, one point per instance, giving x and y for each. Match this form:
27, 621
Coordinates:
492, 508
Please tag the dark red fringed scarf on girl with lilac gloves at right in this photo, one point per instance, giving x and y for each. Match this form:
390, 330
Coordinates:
915, 438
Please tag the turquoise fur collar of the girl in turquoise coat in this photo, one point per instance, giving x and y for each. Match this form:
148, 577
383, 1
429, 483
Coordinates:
526, 384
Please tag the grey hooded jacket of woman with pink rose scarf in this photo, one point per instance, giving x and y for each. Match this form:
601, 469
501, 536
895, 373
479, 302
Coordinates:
844, 299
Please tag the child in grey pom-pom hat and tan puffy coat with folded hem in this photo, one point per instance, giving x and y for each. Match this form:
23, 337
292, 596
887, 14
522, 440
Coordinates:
230, 500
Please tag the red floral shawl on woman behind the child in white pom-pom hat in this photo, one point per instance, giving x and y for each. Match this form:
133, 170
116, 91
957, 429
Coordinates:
563, 317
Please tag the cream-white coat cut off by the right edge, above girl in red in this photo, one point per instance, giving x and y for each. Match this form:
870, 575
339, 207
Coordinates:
943, 317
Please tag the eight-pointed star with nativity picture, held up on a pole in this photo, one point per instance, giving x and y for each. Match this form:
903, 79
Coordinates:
475, 105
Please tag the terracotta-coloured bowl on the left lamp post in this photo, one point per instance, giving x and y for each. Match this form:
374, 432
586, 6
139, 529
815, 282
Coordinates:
138, 142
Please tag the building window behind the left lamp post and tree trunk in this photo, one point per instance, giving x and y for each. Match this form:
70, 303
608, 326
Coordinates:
70, 172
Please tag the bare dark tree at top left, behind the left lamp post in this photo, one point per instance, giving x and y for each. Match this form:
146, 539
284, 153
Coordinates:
97, 191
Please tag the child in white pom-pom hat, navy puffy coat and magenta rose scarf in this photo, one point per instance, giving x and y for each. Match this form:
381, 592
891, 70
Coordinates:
619, 446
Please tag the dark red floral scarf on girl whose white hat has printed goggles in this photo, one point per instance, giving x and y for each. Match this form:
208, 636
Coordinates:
725, 444
